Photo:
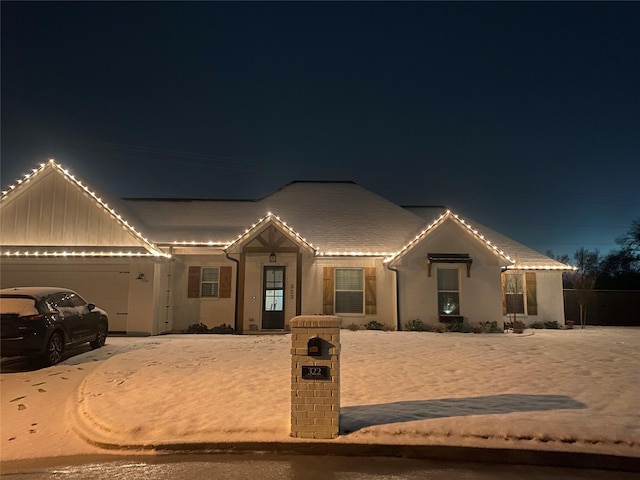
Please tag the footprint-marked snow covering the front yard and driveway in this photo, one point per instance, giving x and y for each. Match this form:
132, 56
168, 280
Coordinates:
571, 390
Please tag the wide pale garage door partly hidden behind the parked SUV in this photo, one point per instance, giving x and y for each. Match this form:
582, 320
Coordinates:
105, 285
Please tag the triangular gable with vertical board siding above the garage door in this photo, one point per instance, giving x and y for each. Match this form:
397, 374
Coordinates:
48, 213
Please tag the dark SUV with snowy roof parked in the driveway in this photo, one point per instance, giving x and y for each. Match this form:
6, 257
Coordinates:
42, 321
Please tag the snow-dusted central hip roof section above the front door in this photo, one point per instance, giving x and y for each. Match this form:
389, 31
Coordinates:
338, 218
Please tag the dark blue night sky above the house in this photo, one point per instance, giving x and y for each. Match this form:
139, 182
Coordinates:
524, 116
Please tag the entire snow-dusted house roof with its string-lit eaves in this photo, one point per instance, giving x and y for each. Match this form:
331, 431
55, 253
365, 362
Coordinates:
332, 218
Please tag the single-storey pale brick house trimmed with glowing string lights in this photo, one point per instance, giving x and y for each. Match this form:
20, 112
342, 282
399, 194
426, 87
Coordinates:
159, 265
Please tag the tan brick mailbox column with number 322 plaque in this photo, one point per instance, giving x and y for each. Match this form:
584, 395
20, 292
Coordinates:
315, 376
